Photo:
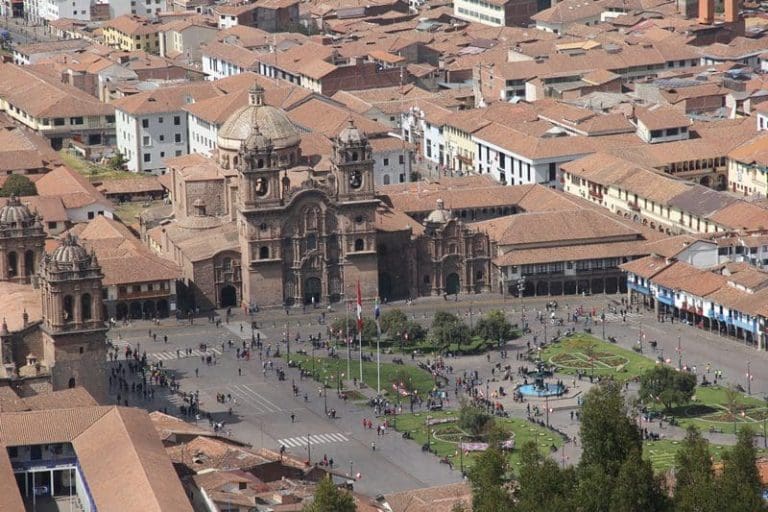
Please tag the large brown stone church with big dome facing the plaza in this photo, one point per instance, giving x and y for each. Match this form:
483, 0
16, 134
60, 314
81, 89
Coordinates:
253, 226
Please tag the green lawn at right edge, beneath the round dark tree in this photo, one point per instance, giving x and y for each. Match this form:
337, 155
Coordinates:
709, 410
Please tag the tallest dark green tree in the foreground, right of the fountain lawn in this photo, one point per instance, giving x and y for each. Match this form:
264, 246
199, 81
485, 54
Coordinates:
608, 435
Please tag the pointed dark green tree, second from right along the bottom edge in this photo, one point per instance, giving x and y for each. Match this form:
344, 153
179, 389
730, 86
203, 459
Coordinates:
695, 479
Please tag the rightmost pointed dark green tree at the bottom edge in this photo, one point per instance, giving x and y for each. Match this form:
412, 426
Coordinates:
739, 486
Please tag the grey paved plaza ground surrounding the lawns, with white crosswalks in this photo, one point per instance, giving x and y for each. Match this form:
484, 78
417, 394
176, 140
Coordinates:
266, 413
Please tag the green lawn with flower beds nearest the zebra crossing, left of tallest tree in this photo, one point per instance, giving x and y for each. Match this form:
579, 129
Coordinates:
445, 438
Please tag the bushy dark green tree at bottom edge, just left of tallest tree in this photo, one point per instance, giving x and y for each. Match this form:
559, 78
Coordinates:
544, 486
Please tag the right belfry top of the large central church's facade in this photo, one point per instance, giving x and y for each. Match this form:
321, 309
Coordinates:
352, 161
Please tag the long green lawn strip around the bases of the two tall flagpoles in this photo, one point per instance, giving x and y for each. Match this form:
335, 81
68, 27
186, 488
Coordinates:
330, 369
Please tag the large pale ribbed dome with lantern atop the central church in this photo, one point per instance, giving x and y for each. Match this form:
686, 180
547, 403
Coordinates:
272, 123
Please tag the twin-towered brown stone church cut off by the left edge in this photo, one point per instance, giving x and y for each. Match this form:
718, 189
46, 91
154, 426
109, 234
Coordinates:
53, 334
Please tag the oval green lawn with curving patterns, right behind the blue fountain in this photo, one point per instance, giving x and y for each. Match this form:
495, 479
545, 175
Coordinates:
590, 355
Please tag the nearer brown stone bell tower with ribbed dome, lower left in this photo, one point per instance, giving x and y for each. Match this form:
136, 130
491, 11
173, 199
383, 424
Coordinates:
73, 320
